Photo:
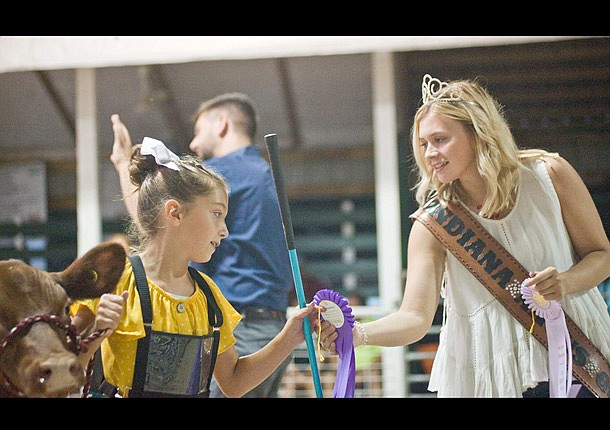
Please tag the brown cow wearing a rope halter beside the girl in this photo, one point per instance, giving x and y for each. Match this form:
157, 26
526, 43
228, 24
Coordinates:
38, 346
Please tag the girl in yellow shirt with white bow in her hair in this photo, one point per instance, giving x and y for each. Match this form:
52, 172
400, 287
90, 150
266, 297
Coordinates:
181, 217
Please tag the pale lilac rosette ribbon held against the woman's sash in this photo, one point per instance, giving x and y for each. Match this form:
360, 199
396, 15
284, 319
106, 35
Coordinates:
560, 350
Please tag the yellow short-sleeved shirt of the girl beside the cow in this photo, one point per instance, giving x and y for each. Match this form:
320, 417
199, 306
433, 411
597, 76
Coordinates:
119, 349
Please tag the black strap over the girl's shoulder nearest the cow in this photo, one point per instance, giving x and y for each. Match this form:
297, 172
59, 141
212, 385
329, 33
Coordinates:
139, 372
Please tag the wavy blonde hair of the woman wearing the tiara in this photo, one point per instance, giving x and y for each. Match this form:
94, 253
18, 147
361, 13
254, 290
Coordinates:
497, 156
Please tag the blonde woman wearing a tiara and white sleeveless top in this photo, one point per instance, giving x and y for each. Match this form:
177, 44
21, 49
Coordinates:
536, 205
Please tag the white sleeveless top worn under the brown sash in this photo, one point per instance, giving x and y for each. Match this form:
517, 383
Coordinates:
483, 350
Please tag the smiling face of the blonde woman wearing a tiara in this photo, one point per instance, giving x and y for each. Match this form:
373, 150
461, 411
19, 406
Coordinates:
447, 148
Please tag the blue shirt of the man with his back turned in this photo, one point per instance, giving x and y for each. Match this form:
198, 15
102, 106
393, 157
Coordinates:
251, 266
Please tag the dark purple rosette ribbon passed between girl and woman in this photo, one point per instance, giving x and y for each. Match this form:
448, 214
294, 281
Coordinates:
339, 314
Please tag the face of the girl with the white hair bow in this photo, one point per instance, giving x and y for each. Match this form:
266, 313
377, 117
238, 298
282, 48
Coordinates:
206, 222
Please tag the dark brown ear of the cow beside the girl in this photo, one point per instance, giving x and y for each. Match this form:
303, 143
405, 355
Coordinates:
95, 273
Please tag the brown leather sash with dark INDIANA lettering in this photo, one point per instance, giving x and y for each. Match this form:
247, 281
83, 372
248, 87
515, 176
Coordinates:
502, 275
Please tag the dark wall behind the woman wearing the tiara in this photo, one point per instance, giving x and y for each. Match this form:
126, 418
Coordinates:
556, 96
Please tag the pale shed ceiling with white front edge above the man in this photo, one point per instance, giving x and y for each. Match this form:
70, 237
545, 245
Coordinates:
311, 91
